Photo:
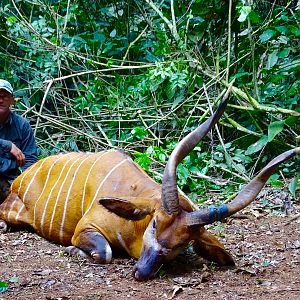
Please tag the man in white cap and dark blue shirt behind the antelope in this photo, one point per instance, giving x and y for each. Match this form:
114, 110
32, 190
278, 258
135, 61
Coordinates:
17, 144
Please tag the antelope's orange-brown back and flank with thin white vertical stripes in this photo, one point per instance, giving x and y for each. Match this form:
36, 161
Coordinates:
59, 190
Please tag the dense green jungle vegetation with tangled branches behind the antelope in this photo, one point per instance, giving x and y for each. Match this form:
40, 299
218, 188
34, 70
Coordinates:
139, 75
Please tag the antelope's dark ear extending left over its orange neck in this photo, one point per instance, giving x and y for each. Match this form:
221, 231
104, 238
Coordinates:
125, 209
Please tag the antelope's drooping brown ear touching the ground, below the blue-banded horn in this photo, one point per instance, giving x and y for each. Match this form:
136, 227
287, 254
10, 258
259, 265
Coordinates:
208, 247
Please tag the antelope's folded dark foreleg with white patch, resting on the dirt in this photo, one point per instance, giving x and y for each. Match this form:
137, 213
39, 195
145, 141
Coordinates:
91, 244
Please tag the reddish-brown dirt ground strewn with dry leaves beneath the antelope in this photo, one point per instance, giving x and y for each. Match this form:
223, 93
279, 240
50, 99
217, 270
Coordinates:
263, 240
